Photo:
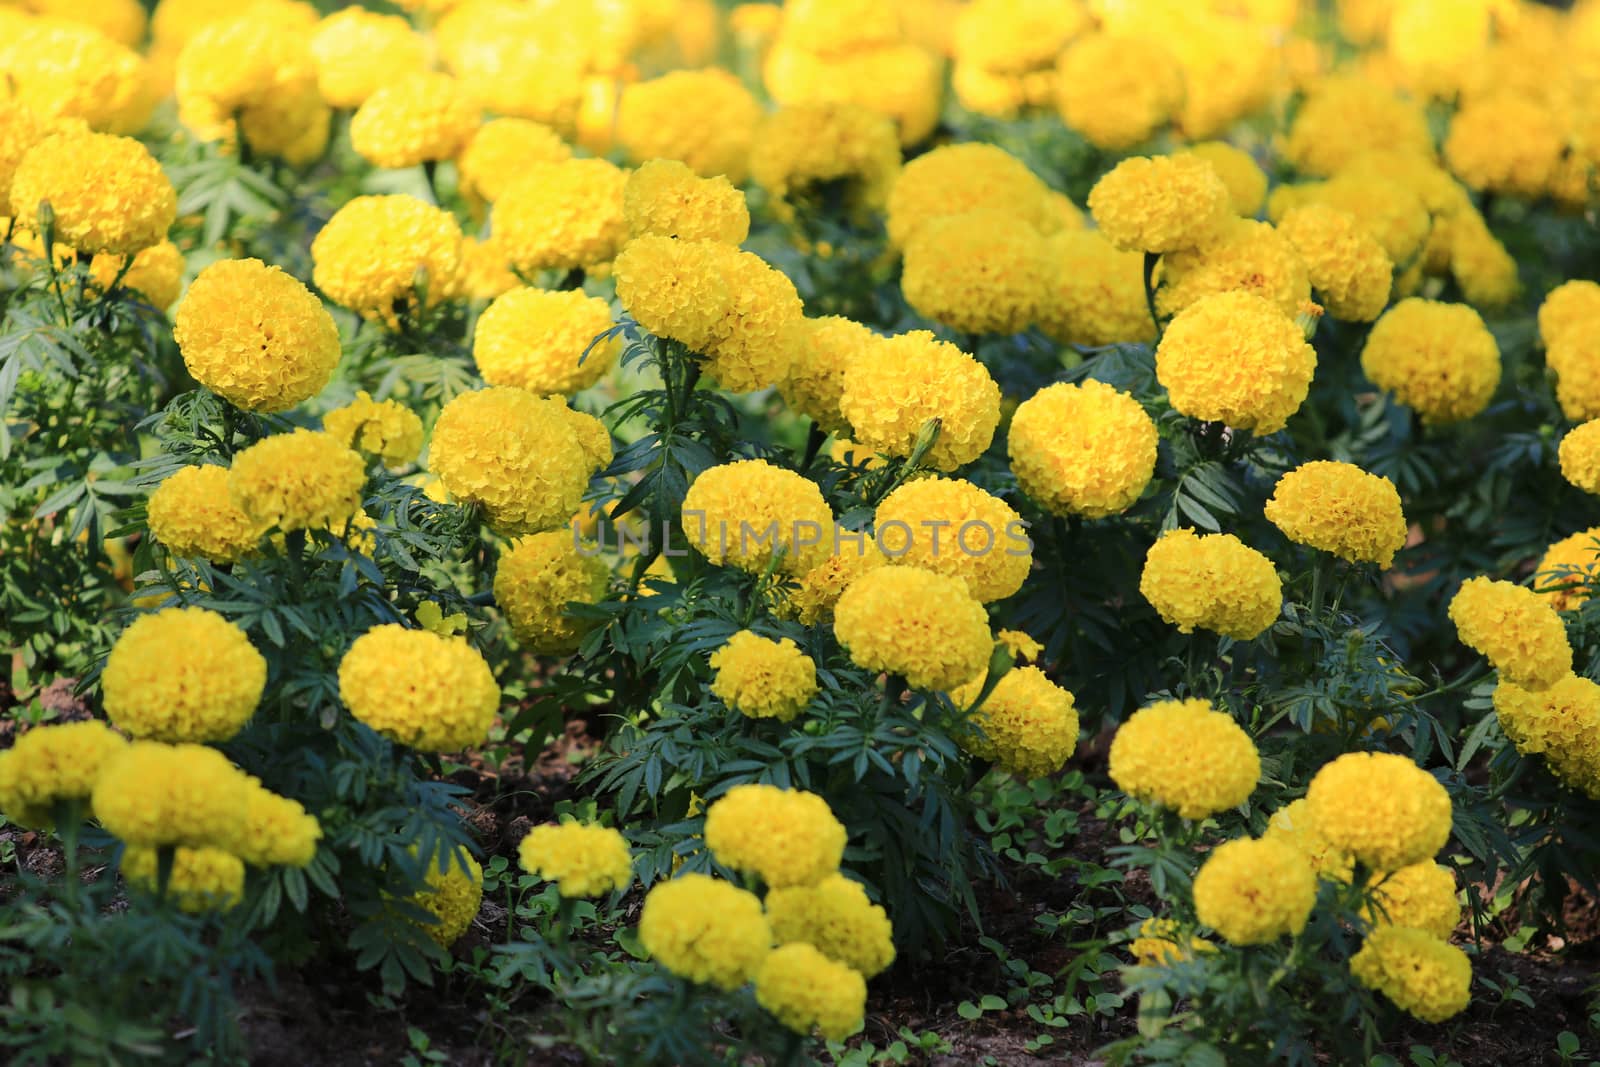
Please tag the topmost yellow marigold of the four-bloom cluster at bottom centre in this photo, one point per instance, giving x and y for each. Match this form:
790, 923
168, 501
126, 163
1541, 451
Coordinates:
785, 837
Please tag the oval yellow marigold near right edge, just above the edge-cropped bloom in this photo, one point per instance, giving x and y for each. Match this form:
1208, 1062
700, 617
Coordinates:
1516, 629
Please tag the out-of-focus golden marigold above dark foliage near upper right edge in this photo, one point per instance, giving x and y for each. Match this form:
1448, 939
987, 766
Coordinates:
1506, 145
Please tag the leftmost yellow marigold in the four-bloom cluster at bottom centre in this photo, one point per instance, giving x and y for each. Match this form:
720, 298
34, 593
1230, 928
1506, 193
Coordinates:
705, 930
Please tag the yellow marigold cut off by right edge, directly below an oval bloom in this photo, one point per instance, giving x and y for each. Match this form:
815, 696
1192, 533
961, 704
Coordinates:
1562, 724
